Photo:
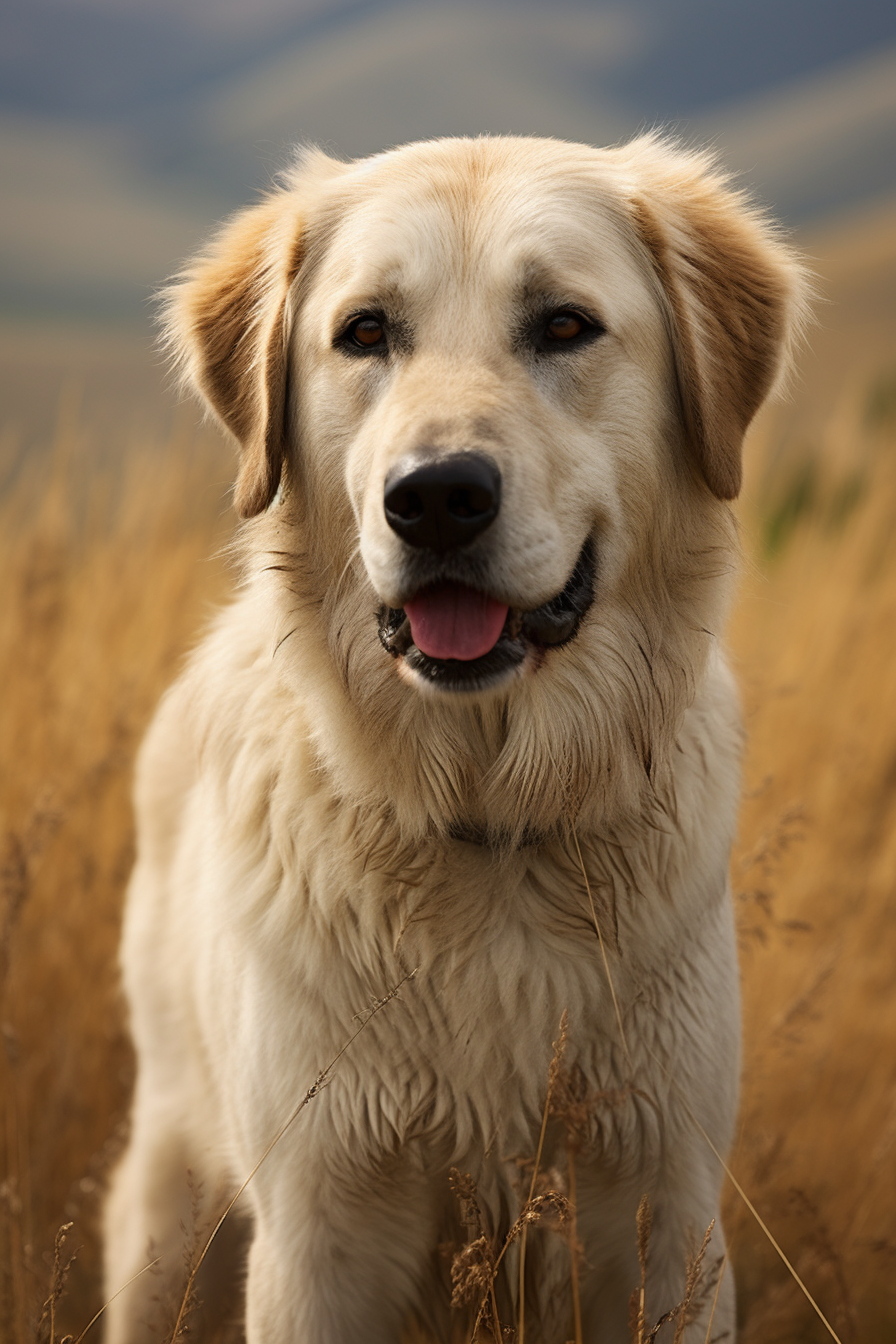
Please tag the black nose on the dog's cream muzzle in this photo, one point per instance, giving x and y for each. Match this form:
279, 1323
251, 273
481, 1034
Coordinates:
444, 505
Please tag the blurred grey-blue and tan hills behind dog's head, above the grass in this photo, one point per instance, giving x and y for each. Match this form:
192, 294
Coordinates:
130, 127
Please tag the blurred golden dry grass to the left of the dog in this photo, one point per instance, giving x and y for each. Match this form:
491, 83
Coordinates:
104, 587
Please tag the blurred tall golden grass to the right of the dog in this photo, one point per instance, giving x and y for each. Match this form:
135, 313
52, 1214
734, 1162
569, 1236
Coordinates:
815, 640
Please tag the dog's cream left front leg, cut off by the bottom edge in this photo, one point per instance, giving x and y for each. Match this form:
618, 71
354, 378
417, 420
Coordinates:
341, 1248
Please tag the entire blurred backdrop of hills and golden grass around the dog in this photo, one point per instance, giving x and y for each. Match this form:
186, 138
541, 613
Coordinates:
127, 130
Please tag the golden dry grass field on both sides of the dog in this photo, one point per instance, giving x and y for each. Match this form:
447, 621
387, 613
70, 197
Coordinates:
107, 581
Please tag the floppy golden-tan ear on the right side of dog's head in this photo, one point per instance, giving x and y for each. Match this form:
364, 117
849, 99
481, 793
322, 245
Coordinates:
737, 298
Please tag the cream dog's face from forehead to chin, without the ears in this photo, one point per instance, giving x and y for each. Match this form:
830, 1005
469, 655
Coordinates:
496, 376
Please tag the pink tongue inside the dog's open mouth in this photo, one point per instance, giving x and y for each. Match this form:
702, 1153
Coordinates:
452, 622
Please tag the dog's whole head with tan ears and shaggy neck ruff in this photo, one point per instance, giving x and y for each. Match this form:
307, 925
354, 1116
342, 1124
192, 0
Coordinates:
495, 392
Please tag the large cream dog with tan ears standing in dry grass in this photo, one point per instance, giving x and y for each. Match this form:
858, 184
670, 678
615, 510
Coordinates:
467, 729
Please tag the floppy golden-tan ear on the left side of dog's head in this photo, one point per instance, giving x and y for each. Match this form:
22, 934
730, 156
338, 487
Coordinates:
226, 321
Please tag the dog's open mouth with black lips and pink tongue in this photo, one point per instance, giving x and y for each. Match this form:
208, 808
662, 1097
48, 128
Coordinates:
460, 639
